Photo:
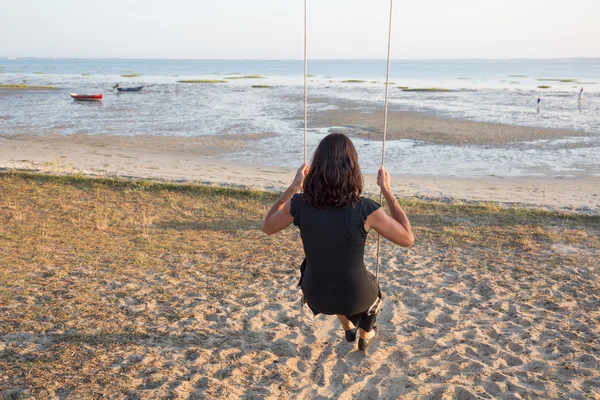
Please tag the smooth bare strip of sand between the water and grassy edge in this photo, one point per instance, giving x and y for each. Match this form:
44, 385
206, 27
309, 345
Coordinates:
196, 160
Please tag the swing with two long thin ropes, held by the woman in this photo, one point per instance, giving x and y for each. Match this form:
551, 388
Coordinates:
374, 309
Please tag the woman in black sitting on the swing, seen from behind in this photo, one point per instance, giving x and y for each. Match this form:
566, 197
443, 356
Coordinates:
334, 221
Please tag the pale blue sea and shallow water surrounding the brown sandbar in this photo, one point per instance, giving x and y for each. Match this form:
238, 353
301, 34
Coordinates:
501, 91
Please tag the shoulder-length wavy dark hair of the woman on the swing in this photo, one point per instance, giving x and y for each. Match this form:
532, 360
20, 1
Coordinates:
334, 179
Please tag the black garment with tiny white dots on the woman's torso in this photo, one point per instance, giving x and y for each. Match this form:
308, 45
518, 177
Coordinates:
335, 279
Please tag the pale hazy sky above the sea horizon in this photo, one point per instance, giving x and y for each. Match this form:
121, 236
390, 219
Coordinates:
272, 29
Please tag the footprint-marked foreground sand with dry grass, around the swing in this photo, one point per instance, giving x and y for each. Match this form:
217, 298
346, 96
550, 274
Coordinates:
144, 291
